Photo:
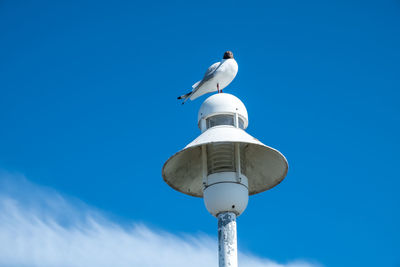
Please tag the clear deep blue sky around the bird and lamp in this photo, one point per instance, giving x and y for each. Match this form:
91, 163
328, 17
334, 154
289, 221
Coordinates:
88, 110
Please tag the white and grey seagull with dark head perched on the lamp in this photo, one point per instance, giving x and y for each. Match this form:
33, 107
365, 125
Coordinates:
216, 78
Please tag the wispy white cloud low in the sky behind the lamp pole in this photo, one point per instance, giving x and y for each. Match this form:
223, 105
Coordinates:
39, 227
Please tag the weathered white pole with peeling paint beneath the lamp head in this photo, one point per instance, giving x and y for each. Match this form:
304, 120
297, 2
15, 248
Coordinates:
227, 240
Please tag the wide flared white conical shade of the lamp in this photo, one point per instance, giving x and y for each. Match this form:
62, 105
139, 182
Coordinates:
265, 166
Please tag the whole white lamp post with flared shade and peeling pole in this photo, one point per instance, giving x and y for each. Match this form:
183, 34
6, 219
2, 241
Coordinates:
224, 165
